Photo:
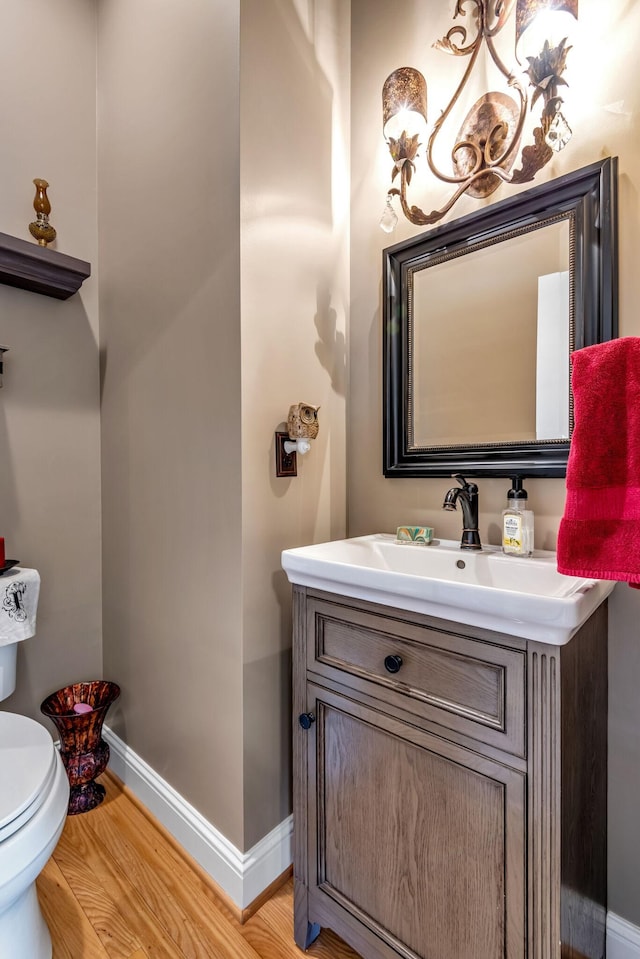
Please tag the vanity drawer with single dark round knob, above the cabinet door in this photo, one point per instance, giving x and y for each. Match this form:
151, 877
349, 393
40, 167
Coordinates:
473, 687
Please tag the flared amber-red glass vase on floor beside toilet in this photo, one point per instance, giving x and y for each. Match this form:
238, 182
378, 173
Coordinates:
83, 751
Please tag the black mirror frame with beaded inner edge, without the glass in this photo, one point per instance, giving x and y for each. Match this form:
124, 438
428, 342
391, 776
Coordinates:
589, 197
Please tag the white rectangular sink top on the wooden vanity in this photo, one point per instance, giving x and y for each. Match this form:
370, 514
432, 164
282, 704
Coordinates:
523, 596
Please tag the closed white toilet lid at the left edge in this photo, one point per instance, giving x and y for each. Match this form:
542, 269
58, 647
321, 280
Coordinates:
27, 769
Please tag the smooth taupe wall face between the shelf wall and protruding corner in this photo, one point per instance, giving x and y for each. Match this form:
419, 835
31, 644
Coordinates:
168, 120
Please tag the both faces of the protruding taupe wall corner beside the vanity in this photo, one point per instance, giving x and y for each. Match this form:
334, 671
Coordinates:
202, 228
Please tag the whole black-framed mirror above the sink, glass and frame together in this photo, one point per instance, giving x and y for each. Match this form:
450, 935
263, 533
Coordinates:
481, 315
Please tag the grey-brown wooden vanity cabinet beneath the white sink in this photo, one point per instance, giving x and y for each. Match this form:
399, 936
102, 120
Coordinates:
449, 785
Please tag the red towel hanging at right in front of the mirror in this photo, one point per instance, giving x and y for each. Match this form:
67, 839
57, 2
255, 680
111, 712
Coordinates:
599, 534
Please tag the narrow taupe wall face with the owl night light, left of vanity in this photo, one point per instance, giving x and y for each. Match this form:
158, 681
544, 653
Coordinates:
294, 126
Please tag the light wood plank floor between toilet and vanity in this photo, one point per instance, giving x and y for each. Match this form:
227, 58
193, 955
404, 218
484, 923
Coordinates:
118, 888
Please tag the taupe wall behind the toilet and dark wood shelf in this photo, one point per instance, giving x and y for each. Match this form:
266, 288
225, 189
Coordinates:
49, 406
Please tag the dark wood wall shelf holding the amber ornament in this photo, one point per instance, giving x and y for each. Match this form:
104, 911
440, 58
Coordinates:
39, 269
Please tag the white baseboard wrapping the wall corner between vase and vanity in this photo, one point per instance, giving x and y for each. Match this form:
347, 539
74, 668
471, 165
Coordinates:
243, 876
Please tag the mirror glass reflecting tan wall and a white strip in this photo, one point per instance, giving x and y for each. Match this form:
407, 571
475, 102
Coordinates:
491, 333
